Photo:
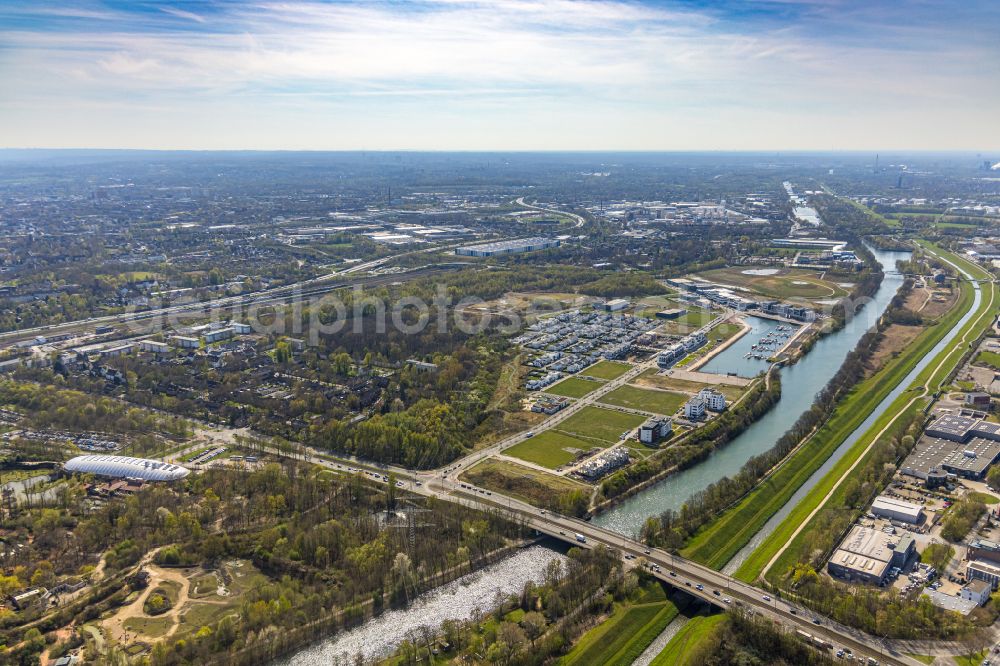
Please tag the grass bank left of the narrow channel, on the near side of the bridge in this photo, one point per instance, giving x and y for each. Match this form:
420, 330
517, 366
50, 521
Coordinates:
623, 637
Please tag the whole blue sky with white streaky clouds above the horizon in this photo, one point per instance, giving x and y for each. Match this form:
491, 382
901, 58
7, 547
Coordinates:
502, 75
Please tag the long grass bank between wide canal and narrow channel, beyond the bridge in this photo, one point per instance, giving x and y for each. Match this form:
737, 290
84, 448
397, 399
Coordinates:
719, 541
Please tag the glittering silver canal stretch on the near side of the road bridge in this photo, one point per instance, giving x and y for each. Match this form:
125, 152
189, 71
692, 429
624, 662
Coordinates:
380, 637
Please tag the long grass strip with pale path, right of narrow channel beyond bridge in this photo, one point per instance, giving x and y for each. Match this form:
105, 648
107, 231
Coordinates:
755, 564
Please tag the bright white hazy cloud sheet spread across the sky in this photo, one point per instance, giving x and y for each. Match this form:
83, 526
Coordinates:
558, 71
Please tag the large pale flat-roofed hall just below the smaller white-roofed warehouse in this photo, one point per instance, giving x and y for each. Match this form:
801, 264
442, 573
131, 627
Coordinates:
867, 555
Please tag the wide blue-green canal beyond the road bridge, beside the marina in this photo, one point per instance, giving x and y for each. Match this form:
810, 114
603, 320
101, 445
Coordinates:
799, 385
